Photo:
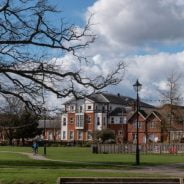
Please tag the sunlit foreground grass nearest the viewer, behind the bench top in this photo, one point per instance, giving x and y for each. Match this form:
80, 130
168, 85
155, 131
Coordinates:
49, 176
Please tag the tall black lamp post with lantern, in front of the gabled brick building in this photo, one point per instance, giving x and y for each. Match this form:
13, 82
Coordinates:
137, 87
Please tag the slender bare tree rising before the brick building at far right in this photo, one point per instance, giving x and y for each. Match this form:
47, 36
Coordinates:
172, 97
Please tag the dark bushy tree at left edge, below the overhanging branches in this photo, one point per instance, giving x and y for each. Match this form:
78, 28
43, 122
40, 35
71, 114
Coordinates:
16, 122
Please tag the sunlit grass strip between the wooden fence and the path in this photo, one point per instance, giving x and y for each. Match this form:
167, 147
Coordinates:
85, 155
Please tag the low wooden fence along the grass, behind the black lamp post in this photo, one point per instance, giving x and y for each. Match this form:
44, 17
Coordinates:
144, 148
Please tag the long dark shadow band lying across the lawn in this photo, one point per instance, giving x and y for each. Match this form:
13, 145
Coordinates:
70, 165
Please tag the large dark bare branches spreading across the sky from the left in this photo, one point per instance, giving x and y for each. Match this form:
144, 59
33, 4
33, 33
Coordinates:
29, 35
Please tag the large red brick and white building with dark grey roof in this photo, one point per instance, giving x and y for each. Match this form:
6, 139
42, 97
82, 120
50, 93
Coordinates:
99, 111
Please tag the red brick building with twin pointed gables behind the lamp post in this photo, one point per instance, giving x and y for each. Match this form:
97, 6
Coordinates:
154, 126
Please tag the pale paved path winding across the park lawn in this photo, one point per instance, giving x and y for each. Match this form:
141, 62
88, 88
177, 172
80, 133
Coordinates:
175, 170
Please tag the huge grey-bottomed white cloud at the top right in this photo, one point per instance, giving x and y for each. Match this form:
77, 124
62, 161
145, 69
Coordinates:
130, 23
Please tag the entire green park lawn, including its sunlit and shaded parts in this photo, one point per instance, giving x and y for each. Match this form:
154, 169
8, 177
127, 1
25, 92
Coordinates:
15, 167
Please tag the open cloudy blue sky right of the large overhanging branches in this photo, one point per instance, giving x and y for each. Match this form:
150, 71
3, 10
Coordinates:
147, 35
